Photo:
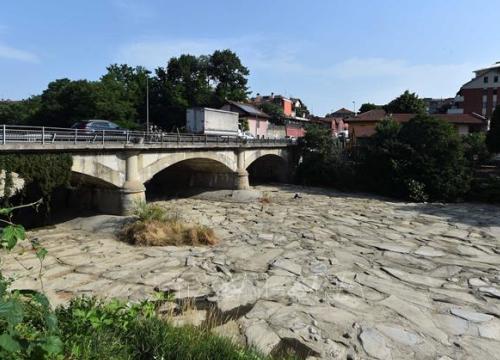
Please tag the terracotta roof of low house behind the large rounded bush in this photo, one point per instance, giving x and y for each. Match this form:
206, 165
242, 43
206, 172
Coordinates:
379, 114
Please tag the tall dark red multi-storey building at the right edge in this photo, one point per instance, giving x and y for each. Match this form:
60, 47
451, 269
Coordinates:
479, 95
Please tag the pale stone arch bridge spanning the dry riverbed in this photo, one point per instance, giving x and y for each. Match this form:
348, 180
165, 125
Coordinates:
116, 176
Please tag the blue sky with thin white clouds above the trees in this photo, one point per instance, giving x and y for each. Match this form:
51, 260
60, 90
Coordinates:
329, 53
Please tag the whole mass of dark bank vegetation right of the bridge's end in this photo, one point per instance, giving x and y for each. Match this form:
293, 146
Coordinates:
422, 160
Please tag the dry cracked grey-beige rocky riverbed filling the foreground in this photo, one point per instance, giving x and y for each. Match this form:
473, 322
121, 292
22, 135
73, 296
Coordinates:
330, 275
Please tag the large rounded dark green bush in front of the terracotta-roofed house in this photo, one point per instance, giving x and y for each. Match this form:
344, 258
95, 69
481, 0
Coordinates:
423, 159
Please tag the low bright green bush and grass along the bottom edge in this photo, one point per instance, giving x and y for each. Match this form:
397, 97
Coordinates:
94, 329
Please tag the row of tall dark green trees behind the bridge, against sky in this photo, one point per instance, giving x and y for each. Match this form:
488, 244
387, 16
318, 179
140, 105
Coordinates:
120, 94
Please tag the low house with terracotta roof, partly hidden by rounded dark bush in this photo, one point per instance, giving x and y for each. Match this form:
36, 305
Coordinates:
363, 125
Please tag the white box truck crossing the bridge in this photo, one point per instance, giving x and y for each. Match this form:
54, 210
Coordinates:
211, 122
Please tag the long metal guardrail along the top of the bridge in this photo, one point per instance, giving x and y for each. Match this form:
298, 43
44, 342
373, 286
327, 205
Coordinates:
11, 134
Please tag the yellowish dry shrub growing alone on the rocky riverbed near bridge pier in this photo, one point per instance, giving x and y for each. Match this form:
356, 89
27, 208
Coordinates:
155, 227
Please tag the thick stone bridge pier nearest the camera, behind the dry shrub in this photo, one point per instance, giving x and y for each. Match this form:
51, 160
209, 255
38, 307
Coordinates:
133, 190
